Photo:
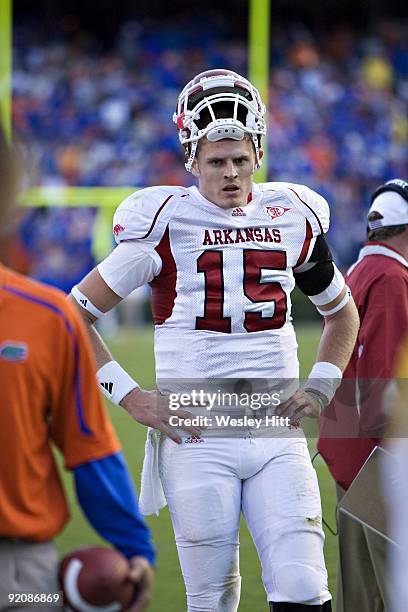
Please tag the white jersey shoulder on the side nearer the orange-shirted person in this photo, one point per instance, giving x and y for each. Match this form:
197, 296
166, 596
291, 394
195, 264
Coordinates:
144, 214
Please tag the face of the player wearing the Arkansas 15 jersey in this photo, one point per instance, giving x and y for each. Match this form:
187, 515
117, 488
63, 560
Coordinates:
225, 170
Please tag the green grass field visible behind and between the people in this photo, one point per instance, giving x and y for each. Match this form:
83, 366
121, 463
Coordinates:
134, 350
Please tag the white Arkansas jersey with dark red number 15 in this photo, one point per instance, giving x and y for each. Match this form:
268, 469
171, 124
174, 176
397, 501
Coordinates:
221, 279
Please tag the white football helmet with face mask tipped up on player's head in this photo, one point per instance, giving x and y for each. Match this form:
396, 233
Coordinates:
219, 104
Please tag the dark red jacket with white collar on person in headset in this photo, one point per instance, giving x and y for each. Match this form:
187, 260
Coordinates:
353, 423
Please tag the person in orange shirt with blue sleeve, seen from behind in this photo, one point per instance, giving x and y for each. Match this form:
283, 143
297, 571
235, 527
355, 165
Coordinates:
49, 397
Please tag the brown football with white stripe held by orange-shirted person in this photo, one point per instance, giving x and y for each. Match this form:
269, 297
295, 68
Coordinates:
97, 577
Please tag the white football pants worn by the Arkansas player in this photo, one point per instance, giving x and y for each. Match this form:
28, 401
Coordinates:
273, 482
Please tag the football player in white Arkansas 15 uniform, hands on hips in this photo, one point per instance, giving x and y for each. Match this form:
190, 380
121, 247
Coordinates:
222, 259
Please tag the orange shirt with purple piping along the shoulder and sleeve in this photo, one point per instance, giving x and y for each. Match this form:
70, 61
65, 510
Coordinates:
48, 394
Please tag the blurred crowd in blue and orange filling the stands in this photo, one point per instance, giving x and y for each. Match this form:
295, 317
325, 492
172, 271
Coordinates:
101, 115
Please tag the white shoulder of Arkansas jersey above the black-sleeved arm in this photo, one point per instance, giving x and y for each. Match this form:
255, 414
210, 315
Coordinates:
314, 207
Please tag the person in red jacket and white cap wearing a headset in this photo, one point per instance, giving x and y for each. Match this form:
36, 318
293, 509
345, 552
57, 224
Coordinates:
353, 424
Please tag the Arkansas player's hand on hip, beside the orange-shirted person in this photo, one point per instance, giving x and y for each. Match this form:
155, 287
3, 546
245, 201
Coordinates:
151, 408
